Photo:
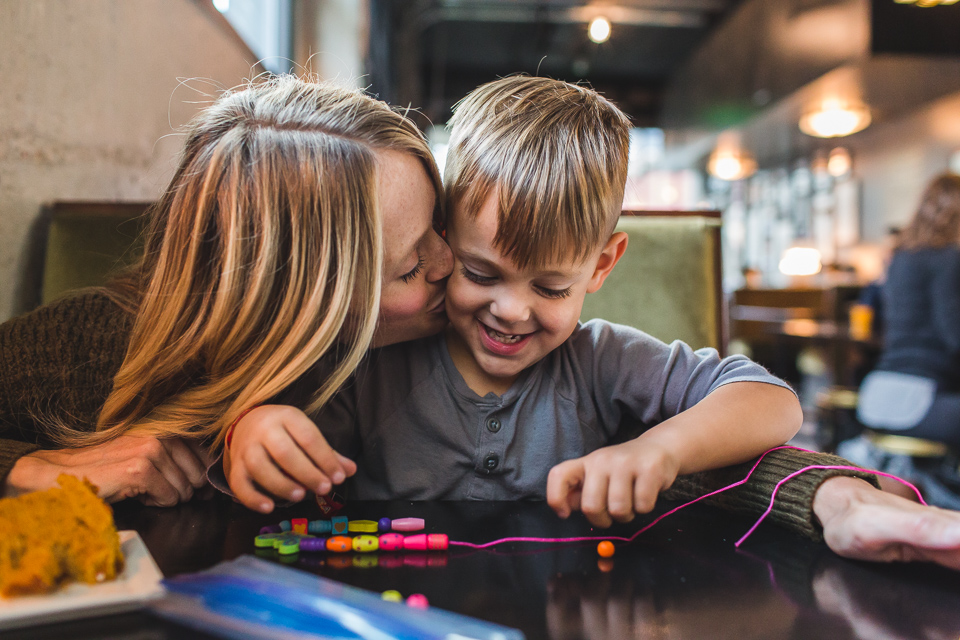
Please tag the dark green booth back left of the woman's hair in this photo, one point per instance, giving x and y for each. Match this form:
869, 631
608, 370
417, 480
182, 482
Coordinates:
87, 241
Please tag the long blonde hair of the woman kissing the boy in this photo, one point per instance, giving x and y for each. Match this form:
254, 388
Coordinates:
263, 256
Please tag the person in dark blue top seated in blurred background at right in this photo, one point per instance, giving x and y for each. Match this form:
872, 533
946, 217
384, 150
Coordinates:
915, 388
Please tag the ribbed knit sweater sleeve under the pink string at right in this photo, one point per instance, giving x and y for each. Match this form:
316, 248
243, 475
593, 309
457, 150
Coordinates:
793, 508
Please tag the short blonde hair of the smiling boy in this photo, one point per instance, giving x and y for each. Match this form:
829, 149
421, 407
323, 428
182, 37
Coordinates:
555, 155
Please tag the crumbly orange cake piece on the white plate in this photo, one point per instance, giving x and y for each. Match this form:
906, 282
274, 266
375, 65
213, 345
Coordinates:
54, 536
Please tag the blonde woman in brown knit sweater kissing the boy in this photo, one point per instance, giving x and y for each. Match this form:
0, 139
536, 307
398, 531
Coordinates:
298, 230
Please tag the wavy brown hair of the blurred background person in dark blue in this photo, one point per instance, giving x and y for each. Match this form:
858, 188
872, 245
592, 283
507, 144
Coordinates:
936, 223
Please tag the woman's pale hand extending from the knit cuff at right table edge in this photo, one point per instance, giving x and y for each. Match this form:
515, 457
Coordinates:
866, 524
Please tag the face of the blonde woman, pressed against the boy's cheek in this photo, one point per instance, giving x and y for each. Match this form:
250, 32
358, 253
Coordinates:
416, 260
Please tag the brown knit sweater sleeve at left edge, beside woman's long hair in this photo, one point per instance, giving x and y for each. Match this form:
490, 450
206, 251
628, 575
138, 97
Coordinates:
57, 363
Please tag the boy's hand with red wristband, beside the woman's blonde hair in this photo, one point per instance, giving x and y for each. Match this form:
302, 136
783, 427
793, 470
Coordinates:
277, 452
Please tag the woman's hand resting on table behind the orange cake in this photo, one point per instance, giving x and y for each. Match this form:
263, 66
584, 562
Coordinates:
158, 472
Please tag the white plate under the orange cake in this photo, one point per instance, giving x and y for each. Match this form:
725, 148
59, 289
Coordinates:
134, 587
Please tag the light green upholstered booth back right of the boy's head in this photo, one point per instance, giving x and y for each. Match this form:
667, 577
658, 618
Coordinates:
668, 281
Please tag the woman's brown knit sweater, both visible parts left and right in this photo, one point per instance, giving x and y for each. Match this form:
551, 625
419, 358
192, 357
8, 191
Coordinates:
60, 361
